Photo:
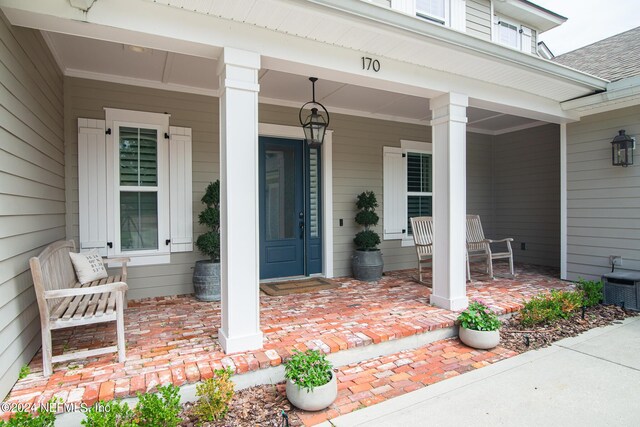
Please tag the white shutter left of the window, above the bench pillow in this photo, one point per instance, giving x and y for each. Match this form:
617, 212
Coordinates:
92, 185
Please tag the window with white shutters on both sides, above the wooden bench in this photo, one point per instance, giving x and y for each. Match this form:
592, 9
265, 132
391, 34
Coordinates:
134, 176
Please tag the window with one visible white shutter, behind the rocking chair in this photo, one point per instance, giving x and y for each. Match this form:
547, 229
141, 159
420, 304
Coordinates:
407, 187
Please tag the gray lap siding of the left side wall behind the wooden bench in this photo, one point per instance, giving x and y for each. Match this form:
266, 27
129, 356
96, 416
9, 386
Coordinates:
31, 186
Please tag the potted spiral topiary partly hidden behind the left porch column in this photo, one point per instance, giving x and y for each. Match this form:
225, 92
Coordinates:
206, 274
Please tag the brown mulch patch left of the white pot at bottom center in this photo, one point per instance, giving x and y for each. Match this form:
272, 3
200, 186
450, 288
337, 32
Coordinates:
254, 406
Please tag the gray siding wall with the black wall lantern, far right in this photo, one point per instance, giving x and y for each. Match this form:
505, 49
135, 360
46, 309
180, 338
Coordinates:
603, 201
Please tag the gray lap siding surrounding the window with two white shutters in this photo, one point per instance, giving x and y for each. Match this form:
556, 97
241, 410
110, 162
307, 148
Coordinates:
87, 99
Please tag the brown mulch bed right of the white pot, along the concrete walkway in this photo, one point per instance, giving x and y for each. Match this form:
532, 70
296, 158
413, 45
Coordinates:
518, 338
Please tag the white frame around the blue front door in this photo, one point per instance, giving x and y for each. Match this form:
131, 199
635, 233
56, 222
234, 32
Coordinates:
295, 132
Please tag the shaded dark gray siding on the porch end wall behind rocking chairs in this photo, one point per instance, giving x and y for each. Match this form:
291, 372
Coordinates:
526, 193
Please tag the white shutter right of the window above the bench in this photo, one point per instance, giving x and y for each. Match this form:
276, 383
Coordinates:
180, 189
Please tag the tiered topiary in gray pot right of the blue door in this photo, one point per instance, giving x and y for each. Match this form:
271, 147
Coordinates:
367, 261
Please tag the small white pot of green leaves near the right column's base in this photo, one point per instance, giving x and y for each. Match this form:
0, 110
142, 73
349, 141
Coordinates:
479, 326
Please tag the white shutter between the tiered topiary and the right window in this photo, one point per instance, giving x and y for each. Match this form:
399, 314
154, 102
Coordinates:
395, 189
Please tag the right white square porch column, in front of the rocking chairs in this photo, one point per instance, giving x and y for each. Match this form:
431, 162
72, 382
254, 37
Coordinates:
449, 134
